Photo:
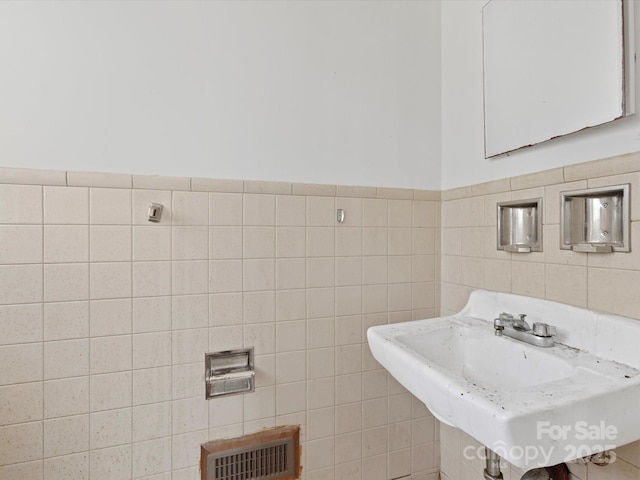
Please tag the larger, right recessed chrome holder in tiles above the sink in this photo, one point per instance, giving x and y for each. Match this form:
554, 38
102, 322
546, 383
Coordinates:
595, 220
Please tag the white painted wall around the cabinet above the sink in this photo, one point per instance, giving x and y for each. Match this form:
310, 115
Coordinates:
463, 161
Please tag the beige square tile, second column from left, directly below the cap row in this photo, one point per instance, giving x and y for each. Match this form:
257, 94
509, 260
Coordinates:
66, 205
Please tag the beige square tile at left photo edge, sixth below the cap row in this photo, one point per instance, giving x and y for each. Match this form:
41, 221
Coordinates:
20, 403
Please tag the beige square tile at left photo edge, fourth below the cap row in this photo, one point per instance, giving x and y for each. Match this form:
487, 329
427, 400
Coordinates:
21, 324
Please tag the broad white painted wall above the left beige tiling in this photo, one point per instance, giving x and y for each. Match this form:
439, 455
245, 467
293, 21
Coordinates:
316, 91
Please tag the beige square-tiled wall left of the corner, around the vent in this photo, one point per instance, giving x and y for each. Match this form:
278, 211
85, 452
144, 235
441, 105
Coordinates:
105, 319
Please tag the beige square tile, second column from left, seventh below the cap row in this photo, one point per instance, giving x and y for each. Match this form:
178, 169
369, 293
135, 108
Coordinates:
66, 435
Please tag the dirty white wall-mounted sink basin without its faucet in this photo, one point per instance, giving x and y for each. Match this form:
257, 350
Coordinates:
533, 406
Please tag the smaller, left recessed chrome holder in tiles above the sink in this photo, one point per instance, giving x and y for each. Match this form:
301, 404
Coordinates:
520, 226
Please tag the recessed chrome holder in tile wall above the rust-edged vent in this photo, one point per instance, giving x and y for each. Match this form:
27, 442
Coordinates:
229, 372
